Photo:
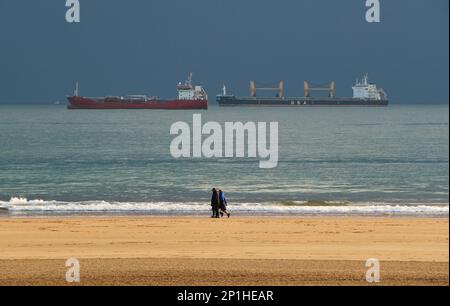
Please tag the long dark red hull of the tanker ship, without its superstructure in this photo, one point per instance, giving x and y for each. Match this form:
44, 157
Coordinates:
91, 103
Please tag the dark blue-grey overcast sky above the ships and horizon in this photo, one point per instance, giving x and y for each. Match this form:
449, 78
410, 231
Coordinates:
147, 46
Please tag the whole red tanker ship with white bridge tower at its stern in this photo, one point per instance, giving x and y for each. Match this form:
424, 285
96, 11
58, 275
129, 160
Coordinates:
189, 97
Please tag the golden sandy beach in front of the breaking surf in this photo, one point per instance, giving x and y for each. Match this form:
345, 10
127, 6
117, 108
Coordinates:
236, 251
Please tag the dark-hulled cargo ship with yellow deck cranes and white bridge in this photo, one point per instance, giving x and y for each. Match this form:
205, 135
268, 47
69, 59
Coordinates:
364, 94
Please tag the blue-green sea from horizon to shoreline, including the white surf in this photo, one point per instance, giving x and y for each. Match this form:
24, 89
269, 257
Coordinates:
392, 160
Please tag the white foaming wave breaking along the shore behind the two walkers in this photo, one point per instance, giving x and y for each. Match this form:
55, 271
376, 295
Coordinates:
22, 205
